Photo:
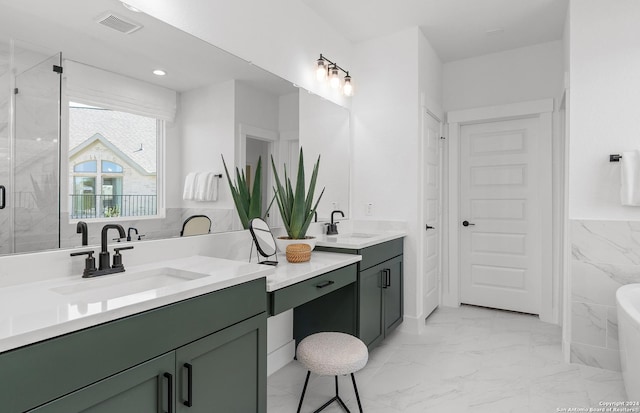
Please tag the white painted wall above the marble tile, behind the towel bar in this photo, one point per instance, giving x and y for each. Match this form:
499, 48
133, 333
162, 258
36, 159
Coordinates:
605, 96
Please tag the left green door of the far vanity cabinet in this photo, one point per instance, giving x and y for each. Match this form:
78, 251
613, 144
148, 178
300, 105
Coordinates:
370, 305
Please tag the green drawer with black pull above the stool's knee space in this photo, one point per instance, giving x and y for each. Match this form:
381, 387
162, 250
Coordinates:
302, 292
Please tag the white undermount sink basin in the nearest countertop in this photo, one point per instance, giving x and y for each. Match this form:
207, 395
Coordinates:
111, 286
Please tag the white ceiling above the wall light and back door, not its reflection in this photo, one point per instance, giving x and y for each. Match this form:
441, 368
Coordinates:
455, 28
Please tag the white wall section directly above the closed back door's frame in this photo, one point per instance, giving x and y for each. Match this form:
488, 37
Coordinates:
528, 73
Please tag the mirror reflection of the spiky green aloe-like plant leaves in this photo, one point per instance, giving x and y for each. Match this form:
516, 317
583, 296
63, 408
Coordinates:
248, 201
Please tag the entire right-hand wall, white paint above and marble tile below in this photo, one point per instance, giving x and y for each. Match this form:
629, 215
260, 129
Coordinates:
604, 94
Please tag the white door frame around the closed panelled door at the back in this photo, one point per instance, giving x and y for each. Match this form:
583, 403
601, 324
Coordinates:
543, 110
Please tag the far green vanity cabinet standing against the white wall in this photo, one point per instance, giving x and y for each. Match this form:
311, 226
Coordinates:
380, 289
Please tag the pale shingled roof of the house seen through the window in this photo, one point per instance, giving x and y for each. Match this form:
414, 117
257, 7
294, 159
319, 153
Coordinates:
126, 132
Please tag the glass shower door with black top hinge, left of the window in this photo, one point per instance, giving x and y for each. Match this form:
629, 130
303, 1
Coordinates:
35, 192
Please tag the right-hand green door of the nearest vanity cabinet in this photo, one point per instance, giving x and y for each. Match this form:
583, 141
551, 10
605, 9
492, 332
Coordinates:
225, 371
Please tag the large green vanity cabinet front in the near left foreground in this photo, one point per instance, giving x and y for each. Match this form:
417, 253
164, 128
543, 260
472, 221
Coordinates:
137, 363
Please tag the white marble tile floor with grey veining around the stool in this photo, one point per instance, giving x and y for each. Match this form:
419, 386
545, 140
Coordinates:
468, 359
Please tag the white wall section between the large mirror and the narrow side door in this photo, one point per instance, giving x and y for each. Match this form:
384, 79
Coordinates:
386, 155
